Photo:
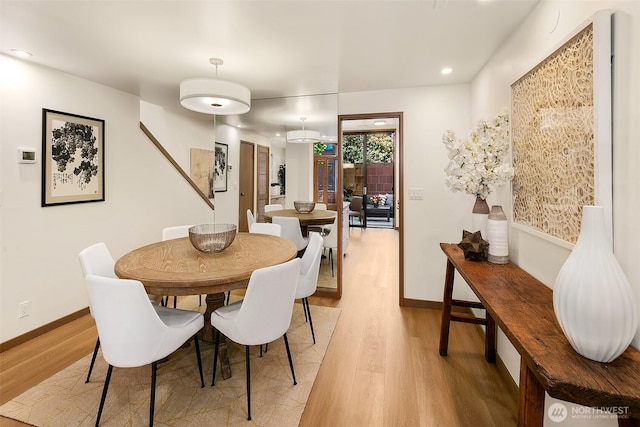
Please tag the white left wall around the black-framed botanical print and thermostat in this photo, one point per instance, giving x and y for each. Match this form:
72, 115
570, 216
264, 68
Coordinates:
39, 246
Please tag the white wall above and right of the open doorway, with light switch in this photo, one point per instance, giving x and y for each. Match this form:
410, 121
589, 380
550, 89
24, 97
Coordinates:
441, 215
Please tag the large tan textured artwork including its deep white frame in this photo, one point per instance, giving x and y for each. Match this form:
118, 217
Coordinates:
561, 135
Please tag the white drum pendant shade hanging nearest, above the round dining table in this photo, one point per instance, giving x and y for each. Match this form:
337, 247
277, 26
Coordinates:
214, 96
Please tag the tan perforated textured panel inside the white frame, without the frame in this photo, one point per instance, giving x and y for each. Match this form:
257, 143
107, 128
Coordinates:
553, 140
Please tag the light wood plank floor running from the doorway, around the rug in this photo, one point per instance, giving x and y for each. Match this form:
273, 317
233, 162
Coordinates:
382, 366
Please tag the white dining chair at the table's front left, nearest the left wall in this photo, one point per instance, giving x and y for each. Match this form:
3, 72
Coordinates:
133, 334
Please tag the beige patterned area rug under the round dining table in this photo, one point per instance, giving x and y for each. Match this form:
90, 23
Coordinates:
65, 399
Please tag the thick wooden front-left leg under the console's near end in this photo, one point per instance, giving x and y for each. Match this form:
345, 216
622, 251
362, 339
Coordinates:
530, 399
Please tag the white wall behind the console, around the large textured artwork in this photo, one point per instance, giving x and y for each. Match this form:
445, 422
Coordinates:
548, 25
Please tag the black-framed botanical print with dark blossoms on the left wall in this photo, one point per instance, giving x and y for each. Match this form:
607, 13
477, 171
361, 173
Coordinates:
72, 158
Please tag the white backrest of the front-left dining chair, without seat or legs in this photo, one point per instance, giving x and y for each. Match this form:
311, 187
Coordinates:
130, 331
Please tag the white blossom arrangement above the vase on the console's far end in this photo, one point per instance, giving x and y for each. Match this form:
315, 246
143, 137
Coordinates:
480, 160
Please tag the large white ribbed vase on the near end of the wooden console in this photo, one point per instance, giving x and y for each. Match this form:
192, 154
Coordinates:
592, 297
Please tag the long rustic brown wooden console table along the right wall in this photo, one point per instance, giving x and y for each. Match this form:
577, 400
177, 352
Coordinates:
523, 308
